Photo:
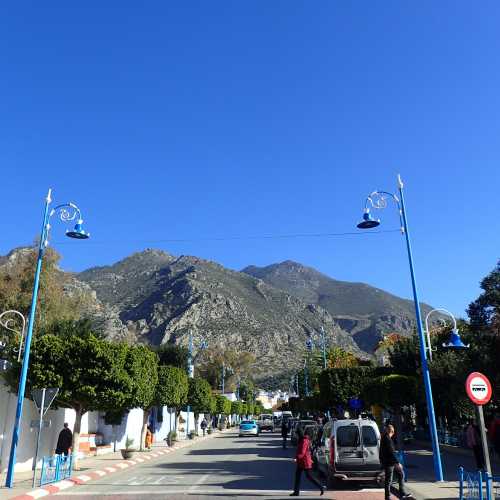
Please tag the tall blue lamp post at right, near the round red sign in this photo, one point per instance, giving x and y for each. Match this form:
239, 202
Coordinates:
378, 200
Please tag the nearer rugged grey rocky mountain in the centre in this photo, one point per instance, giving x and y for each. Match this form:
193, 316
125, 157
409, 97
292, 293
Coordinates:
160, 298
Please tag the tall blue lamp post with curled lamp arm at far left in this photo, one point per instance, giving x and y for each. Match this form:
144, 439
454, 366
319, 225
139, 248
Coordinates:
67, 212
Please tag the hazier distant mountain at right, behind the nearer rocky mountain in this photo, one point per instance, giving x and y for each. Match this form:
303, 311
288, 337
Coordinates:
364, 311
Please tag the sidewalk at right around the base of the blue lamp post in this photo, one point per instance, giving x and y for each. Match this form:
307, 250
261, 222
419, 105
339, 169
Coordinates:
420, 469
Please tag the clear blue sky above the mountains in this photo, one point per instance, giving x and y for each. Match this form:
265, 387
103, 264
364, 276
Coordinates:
194, 120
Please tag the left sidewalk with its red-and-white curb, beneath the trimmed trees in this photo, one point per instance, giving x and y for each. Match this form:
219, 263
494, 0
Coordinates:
90, 468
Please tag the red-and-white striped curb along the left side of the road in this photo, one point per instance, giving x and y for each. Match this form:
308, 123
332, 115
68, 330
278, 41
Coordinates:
51, 489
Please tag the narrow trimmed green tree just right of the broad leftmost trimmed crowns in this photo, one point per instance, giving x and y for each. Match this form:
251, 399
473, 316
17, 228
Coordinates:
142, 366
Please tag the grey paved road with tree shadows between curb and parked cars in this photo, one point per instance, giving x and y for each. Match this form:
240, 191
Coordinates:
223, 467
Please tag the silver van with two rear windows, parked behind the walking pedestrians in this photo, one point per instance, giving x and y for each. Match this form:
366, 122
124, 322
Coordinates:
349, 450
